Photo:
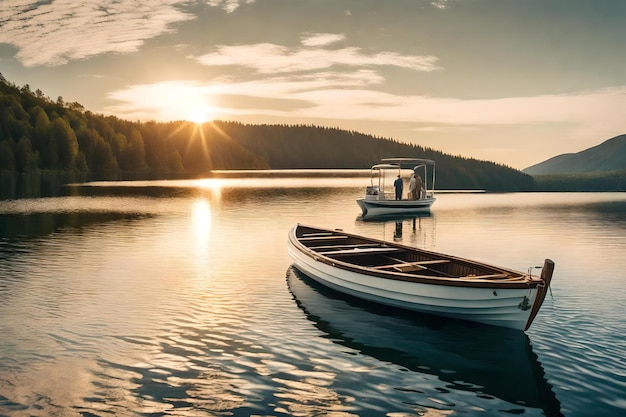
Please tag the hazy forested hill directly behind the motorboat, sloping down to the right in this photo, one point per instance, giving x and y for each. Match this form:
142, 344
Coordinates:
318, 147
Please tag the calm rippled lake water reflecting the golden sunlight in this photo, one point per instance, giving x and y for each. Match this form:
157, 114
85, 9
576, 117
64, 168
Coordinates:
178, 298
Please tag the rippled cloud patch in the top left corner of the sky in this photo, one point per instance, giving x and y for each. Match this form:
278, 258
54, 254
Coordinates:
58, 31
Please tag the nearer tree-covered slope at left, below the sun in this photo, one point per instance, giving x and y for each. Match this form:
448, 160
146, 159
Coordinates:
39, 134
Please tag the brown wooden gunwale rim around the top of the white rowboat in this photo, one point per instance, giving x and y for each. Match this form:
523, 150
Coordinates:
523, 282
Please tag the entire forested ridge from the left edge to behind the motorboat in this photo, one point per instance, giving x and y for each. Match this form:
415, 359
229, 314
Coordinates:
37, 133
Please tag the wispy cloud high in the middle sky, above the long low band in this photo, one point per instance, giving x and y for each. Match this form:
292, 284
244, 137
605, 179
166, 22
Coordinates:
267, 58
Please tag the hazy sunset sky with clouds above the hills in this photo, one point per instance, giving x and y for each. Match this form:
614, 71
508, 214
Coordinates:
515, 82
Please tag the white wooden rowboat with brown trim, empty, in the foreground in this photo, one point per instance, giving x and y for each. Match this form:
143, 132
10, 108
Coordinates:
415, 279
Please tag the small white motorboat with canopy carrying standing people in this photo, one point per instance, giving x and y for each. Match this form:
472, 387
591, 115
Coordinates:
380, 197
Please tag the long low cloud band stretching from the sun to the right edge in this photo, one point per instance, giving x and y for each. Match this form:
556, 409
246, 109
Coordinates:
353, 96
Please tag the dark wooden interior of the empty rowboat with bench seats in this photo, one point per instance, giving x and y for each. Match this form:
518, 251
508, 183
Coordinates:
383, 257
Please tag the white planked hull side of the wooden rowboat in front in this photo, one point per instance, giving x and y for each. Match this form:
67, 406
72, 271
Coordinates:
505, 307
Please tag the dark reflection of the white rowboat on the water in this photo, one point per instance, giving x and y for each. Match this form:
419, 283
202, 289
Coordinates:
488, 361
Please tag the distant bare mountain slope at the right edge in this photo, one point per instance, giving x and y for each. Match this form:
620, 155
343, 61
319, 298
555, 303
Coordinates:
608, 156
